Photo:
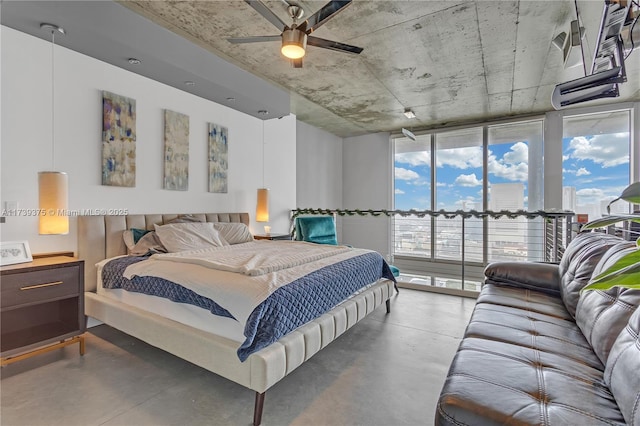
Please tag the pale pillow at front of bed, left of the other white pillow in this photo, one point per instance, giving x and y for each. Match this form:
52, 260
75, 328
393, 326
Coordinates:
189, 236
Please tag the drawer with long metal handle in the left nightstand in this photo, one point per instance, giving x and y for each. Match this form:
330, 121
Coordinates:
37, 286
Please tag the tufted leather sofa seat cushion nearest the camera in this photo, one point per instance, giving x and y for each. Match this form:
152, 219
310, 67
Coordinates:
492, 383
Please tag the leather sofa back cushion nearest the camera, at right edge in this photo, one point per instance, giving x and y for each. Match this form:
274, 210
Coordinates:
622, 372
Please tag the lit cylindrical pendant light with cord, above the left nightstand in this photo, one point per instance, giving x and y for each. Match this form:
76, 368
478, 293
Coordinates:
53, 186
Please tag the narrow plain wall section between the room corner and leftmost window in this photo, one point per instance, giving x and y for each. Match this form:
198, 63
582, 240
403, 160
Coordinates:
367, 182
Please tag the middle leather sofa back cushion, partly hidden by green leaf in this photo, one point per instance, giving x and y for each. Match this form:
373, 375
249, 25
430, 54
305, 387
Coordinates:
601, 315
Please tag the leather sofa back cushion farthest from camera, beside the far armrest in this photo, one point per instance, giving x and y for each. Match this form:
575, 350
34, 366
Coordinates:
578, 262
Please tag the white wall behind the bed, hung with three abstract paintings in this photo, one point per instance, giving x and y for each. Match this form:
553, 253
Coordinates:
25, 143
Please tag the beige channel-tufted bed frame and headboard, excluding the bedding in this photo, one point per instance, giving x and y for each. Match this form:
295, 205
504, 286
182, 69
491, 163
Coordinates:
100, 238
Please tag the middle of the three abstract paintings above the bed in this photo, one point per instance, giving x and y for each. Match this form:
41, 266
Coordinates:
176, 151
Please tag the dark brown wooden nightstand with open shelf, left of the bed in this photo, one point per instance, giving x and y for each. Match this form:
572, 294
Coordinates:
41, 306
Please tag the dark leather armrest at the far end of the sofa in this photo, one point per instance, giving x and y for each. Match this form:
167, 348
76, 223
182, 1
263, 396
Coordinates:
534, 276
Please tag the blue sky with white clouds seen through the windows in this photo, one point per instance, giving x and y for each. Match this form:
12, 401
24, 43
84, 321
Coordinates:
597, 166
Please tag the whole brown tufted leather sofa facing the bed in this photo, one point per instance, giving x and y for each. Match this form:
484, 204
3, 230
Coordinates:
537, 351
